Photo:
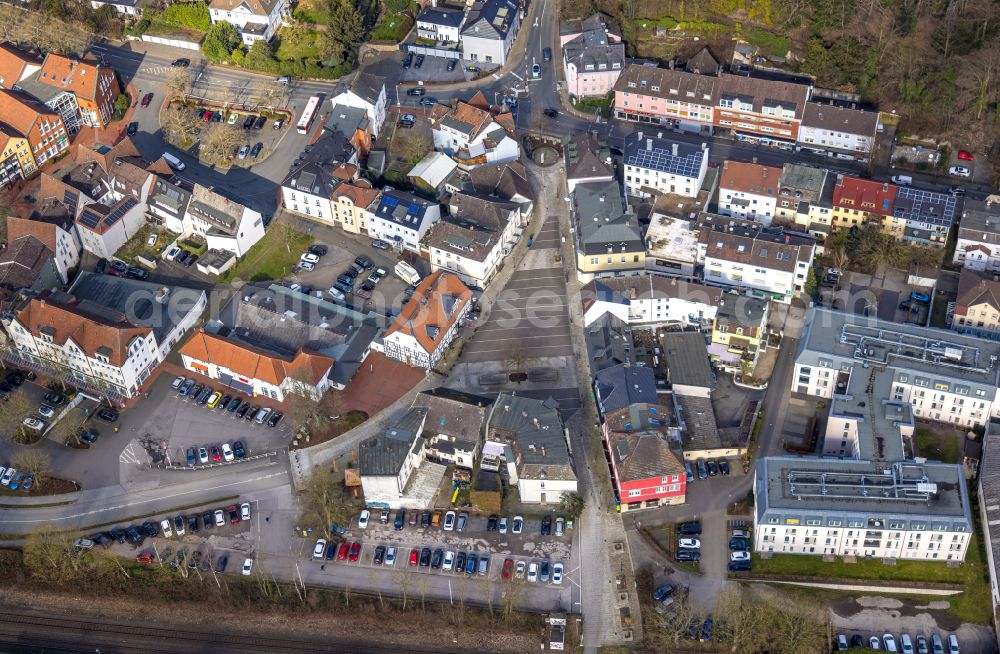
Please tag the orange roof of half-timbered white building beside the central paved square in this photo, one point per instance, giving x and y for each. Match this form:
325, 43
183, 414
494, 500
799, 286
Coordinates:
425, 317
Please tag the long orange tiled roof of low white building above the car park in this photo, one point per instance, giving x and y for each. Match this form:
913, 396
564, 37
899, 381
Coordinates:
254, 363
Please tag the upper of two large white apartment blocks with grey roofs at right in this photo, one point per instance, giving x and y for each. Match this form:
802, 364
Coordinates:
943, 376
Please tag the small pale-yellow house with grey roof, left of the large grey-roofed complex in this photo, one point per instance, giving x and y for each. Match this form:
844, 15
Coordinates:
739, 332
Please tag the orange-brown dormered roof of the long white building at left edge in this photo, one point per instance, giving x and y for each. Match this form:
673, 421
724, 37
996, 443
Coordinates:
64, 322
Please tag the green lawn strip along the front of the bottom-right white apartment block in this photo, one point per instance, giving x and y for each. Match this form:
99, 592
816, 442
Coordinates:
973, 605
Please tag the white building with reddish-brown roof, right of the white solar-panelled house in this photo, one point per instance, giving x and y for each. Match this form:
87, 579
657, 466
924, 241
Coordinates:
749, 191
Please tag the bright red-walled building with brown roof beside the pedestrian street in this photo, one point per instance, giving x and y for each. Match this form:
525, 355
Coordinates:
646, 471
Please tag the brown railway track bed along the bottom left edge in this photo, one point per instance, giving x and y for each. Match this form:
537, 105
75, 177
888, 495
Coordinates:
40, 632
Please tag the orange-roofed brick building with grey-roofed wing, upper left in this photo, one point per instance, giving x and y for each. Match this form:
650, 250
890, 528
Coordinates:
83, 93
